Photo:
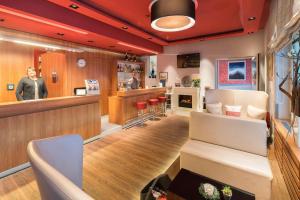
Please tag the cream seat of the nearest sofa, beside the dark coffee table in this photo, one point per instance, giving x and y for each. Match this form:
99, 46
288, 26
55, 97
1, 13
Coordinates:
243, 170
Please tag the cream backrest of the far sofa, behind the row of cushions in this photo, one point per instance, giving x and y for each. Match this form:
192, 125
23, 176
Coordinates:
243, 98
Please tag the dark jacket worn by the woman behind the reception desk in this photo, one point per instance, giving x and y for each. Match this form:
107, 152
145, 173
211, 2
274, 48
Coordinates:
26, 89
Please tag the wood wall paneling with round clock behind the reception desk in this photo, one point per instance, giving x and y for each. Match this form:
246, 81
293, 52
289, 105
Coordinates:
15, 58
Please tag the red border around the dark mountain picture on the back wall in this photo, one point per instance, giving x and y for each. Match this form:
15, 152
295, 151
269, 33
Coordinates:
223, 73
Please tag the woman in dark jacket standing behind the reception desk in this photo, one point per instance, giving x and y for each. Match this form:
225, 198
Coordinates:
31, 87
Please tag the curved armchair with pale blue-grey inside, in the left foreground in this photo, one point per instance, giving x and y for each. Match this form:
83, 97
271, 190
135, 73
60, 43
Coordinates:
57, 165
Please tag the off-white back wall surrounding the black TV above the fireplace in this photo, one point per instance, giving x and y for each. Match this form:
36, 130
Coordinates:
236, 47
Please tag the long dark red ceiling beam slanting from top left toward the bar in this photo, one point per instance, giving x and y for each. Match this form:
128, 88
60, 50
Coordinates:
50, 12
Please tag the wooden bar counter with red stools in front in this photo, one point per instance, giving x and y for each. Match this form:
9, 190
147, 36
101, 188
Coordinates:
122, 107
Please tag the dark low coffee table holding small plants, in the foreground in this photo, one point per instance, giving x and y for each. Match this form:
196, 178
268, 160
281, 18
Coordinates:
186, 183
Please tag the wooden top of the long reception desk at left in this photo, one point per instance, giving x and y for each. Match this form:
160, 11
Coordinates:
32, 106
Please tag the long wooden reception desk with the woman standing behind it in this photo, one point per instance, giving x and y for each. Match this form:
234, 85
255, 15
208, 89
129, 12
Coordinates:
21, 122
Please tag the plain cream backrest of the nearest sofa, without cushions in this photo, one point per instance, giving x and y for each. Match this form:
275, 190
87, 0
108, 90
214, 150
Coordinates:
247, 135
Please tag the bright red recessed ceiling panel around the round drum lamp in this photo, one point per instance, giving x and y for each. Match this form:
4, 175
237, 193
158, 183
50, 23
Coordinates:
225, 15
